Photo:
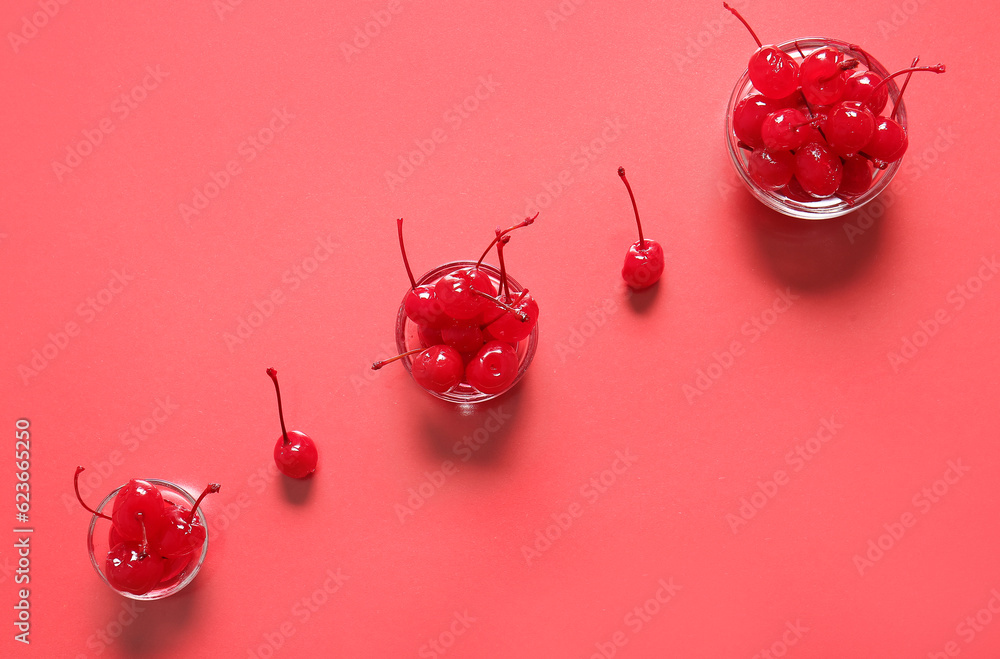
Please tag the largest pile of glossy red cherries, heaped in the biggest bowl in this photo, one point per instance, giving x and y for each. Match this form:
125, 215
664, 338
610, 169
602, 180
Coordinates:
814, 127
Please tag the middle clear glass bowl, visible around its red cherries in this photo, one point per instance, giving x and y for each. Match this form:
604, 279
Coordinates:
463, 393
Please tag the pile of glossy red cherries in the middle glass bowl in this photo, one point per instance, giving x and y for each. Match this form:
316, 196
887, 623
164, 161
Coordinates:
468, 324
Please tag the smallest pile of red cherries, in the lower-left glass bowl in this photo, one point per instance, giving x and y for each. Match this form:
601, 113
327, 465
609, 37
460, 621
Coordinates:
152, 540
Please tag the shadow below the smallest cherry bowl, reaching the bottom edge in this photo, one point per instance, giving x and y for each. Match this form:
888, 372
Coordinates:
156, 626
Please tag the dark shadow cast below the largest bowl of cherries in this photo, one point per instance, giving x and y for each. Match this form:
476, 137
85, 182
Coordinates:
816, 256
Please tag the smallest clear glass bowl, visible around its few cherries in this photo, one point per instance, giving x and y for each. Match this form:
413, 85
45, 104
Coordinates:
97, 542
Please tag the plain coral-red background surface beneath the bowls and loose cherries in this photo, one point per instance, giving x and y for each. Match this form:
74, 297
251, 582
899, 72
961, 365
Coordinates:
654, 79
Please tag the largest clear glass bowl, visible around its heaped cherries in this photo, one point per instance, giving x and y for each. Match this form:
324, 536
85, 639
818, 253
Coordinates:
817, 209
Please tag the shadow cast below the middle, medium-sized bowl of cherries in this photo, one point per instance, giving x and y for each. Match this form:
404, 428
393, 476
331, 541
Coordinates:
477, 434
